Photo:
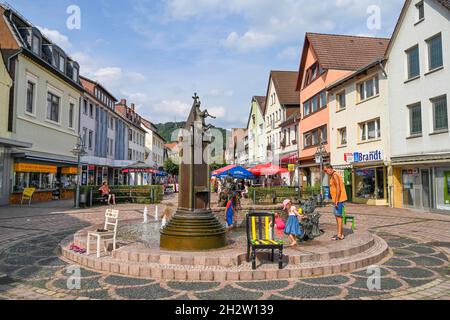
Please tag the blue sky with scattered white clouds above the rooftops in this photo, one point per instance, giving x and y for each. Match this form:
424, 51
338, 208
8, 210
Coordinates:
157, 53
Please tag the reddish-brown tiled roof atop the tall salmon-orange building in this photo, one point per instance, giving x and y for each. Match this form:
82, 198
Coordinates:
341, 52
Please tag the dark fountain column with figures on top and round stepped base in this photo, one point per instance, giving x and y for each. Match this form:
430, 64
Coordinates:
194, 227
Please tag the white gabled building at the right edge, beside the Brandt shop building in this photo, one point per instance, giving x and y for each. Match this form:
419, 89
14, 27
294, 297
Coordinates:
419, 76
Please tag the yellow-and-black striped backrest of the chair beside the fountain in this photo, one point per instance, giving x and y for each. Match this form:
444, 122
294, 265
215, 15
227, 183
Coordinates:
260, 226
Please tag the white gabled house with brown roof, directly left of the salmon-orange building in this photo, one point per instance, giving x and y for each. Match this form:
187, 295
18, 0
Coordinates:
282, 101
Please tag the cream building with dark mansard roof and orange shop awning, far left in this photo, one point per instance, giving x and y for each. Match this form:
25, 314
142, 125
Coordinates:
44, 103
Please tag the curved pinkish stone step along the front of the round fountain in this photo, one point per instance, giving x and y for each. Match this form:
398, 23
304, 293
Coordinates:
155, 270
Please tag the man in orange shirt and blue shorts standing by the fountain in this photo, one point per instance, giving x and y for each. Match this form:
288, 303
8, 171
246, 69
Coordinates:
339, 197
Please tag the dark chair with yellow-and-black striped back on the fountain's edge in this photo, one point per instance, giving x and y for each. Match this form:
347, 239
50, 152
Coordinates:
260, 231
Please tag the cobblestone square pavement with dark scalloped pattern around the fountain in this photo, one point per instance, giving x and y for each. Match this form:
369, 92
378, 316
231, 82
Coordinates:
30, 267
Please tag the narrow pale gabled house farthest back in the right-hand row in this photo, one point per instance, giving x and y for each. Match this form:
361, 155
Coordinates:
256, 132
